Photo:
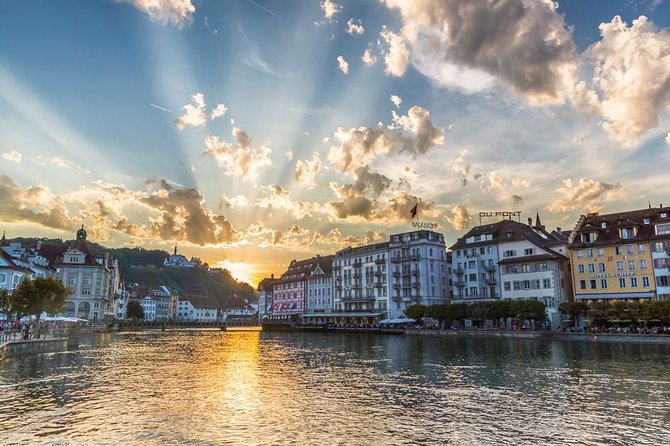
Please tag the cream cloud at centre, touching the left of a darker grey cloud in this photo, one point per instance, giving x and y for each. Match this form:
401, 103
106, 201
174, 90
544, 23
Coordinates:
358, 146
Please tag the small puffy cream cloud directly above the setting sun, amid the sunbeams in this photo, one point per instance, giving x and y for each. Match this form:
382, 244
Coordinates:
238, 159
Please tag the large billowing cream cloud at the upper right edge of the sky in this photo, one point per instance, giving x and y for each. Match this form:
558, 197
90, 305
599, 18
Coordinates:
632, 72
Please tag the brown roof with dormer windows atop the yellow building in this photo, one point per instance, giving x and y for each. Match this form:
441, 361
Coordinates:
607, 226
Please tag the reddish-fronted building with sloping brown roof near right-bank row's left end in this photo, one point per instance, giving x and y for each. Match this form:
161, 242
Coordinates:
289, 293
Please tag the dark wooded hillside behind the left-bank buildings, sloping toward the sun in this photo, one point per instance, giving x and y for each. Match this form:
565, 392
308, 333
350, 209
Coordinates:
144, 266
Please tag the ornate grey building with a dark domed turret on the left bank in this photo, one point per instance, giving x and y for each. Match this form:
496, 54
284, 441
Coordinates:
91, 277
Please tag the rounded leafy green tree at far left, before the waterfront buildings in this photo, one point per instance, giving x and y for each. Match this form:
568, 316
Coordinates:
35, 296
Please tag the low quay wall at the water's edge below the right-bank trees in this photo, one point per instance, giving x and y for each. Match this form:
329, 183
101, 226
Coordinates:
600, 337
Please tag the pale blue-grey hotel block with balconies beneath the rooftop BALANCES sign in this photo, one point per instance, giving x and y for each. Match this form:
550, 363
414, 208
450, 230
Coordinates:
418, 272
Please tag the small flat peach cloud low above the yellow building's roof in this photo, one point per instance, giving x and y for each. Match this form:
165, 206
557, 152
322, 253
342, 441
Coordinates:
586, 195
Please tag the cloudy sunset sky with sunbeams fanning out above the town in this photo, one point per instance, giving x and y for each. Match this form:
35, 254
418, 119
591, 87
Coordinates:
253, 132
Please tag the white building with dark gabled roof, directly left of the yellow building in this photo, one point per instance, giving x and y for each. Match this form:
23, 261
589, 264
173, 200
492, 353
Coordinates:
534, 265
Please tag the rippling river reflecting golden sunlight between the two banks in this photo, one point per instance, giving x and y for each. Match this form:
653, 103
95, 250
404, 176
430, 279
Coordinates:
247, 388
